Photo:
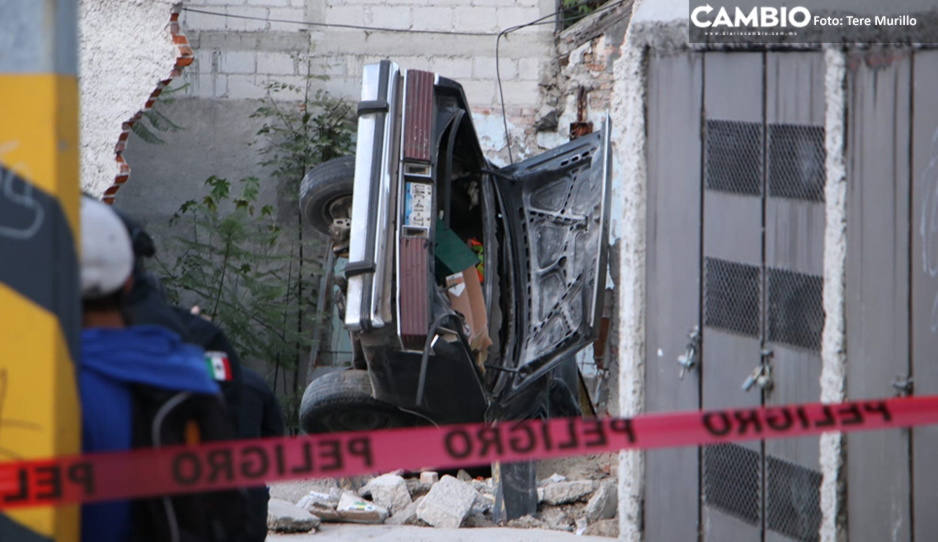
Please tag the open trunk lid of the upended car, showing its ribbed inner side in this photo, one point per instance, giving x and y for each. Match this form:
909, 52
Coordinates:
557, 213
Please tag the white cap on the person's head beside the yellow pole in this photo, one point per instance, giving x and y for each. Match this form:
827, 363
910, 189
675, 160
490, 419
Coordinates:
107, 257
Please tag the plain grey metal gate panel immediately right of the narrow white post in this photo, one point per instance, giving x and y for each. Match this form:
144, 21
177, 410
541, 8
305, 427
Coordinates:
877, 304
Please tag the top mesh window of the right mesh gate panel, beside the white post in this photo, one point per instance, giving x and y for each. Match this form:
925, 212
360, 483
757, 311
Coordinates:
796, 161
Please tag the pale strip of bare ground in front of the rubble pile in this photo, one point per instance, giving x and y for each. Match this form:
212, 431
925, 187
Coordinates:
405, 533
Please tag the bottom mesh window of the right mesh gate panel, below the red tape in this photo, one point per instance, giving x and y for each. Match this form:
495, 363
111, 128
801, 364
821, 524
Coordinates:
793, 499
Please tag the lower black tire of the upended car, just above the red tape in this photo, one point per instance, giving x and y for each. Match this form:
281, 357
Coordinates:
342, 401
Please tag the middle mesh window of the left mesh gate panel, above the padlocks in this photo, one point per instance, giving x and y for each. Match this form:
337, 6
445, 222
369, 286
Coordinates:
731, 296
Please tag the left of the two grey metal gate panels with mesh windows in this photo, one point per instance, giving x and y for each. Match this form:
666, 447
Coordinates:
733, 101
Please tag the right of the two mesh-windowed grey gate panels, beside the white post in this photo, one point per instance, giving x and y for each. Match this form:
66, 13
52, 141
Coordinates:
794, 259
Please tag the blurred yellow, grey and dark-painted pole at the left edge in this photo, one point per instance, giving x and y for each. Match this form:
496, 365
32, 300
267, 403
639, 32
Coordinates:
39, 228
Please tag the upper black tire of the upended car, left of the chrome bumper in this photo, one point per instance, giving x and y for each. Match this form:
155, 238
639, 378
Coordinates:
326, 193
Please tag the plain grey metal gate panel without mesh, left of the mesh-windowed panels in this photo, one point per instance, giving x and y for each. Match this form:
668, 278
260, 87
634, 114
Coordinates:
675, 87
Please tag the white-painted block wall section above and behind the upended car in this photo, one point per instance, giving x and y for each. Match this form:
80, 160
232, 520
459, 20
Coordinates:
236, 57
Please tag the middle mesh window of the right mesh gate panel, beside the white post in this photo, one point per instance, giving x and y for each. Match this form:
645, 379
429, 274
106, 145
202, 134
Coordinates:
796, 308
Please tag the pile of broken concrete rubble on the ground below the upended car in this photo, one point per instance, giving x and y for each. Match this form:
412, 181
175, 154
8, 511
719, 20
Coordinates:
430, 500
